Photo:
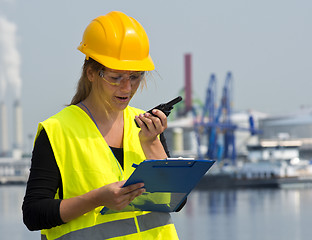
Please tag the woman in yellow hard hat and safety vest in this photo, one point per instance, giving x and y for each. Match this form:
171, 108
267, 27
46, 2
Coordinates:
83, 154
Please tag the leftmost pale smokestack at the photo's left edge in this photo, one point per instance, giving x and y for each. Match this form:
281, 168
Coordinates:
4, 130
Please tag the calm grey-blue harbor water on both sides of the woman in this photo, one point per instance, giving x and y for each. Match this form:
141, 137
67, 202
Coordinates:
264, 214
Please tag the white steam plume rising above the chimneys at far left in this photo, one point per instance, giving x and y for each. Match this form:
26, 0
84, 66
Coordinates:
10, 60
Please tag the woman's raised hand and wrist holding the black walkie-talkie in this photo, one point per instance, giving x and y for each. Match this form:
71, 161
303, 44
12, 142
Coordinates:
151, 127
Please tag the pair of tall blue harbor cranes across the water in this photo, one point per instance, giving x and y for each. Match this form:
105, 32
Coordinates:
216, 124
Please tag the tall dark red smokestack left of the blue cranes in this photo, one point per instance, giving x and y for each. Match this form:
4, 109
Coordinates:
188, 82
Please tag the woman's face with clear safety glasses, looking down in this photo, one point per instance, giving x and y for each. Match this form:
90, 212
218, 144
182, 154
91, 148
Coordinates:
115, 88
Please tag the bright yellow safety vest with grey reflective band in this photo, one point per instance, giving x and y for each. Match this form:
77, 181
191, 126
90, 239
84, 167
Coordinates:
86, 162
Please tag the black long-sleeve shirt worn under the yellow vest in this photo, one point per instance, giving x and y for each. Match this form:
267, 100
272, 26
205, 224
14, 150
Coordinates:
40, 209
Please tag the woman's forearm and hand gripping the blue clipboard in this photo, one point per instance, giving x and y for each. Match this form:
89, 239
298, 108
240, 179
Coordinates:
113, 196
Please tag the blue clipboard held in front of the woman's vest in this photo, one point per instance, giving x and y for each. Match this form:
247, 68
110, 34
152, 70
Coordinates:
167, 182
